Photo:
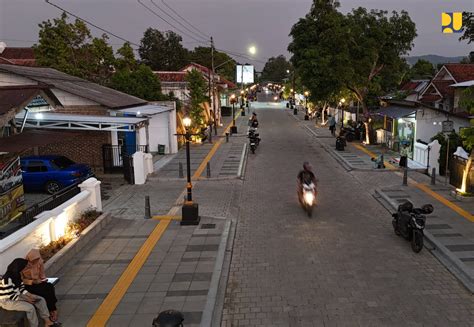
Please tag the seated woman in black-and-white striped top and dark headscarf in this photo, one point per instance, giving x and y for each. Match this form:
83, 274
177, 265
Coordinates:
14, 296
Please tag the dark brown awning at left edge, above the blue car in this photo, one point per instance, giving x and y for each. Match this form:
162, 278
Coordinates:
30, 139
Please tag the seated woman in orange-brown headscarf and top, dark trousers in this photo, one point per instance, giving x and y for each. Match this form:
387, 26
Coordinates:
35, 281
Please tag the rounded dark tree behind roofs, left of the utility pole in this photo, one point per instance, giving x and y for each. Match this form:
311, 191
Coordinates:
163, 51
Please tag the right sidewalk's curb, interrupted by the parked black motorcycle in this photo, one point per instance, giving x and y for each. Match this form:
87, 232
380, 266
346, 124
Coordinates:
451, 262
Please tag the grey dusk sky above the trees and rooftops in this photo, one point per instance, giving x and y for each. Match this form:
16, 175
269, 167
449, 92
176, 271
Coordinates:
234, 25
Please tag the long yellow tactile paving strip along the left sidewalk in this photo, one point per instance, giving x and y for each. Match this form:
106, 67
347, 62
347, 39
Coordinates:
113, 299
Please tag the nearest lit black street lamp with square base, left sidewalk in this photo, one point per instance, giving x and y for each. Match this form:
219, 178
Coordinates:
190, 210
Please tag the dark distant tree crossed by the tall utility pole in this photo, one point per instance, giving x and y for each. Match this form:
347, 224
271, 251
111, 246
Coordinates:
202, 56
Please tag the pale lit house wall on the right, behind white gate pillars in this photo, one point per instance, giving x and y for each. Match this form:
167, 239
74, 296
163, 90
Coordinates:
426, 127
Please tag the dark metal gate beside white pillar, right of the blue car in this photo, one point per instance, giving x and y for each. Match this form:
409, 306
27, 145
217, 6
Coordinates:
112, 156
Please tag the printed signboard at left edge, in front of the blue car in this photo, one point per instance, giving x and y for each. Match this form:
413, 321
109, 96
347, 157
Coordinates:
12, 201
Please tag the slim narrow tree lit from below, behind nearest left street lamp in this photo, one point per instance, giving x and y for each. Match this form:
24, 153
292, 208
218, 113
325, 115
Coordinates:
197, 94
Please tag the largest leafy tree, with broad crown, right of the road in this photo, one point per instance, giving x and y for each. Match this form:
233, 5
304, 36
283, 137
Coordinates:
361, 51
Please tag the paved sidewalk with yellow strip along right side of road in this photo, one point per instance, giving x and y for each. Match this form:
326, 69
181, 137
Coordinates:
449, 230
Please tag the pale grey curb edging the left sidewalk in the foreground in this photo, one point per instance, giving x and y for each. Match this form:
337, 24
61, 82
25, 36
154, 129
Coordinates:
206, 320
